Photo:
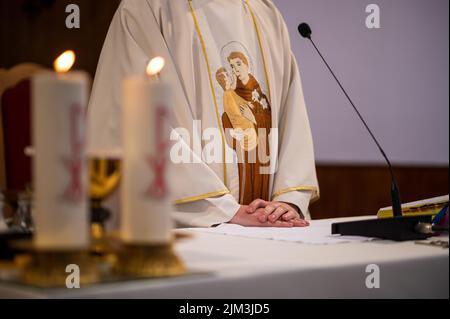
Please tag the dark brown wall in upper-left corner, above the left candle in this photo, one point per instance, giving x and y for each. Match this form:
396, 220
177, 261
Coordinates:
34, 31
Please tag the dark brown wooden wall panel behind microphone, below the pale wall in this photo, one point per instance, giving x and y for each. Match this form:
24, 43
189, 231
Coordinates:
362, 190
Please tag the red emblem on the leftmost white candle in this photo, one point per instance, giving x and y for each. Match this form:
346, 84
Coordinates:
74, 162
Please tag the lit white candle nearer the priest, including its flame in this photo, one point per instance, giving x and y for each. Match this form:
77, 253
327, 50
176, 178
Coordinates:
146, 206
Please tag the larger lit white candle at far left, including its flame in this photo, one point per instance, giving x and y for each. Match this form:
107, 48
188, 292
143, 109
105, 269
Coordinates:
59, 168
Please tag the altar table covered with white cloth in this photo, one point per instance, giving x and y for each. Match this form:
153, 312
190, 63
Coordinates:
230, 267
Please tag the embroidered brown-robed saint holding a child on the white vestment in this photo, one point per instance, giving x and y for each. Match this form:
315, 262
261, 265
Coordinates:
247, 121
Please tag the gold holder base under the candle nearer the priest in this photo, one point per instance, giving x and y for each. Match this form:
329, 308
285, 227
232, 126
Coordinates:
148, 261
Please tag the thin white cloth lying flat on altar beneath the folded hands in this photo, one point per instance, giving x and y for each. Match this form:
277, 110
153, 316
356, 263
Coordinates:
318, 233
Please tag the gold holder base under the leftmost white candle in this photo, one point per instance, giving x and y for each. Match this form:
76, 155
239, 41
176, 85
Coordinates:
48, 268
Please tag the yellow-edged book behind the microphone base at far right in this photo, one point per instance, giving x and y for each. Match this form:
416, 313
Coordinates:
431, 206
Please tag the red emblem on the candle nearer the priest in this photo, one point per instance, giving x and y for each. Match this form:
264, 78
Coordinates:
158, 162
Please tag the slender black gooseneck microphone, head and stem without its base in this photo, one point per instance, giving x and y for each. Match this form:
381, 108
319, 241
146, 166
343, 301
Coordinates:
305, 31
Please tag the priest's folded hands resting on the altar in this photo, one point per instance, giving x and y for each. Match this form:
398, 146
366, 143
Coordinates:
261, 213
